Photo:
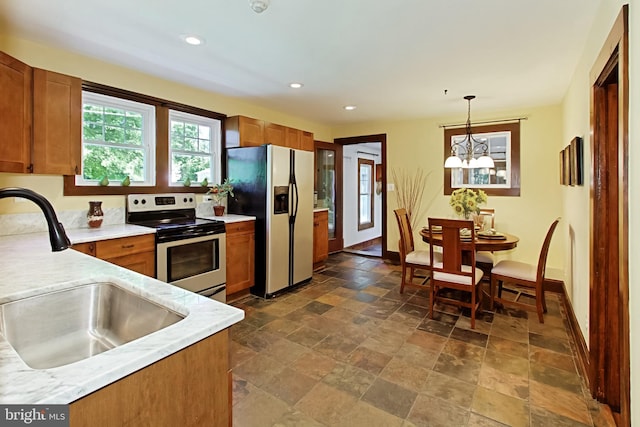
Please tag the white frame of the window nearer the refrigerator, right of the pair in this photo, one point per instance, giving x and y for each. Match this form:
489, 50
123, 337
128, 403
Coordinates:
215, 144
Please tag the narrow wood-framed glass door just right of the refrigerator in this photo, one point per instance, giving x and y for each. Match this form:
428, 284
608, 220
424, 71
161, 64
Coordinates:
328, 185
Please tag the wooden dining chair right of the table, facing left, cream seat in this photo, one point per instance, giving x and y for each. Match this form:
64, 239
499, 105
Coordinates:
525, 275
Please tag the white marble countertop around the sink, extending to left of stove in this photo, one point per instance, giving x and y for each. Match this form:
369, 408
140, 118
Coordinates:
30, 268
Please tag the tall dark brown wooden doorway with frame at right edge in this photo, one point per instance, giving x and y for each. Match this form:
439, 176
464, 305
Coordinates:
609, 352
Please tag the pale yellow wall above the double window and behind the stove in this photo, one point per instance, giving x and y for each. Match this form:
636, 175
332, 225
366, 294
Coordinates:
41, 56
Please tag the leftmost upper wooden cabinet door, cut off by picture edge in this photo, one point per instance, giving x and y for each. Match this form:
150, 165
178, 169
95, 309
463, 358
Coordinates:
16, 108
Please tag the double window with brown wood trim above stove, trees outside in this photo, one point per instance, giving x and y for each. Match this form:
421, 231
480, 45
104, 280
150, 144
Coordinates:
161, 145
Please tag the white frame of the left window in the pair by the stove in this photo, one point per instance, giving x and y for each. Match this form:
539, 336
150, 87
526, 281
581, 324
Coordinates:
148, 113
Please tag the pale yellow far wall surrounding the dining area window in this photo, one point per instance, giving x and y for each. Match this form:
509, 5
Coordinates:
419, 144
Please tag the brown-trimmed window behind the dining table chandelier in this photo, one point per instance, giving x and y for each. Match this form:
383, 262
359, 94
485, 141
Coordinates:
503, 141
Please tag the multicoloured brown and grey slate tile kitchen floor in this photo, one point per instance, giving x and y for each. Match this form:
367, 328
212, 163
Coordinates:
348, 350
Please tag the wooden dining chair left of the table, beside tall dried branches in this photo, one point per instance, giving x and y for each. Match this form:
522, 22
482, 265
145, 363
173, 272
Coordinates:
410, 259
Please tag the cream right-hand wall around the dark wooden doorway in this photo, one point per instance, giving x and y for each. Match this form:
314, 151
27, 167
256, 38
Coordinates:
576, 199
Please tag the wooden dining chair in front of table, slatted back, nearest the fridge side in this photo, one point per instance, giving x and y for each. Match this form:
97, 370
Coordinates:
451, 272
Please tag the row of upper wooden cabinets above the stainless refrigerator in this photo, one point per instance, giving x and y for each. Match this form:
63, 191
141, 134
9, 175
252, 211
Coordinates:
244, 131
